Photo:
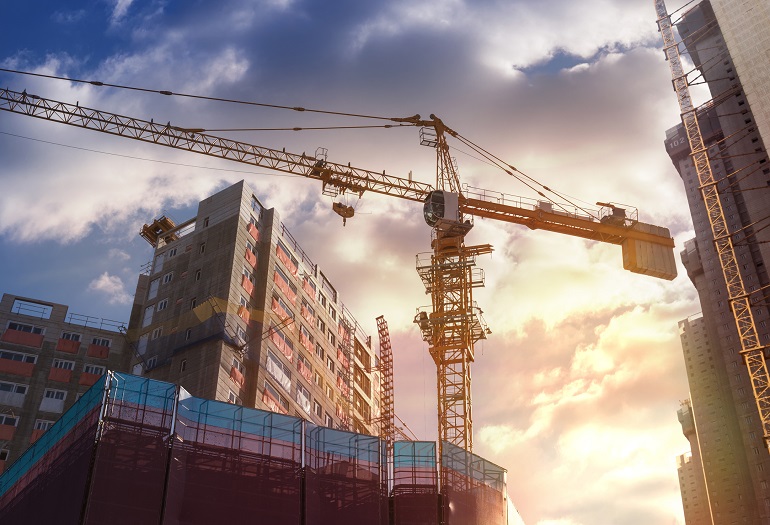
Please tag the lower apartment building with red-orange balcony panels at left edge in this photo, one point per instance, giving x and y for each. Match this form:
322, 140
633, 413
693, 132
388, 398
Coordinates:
48, 358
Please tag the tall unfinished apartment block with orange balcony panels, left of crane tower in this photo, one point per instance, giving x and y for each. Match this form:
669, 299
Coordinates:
233, 309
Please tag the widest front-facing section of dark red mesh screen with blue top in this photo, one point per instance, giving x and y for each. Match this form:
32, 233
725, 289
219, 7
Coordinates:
234, 465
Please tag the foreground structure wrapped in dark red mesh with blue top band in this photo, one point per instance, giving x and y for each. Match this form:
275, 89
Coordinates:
136, 450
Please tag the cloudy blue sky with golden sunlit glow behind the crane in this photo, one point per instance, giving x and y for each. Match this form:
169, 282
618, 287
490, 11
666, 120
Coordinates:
575, 392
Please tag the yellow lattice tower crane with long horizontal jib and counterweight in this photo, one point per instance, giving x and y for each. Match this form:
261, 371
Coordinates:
454, 324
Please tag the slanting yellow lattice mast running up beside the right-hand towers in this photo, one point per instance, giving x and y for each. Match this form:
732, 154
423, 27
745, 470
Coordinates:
753, 352
